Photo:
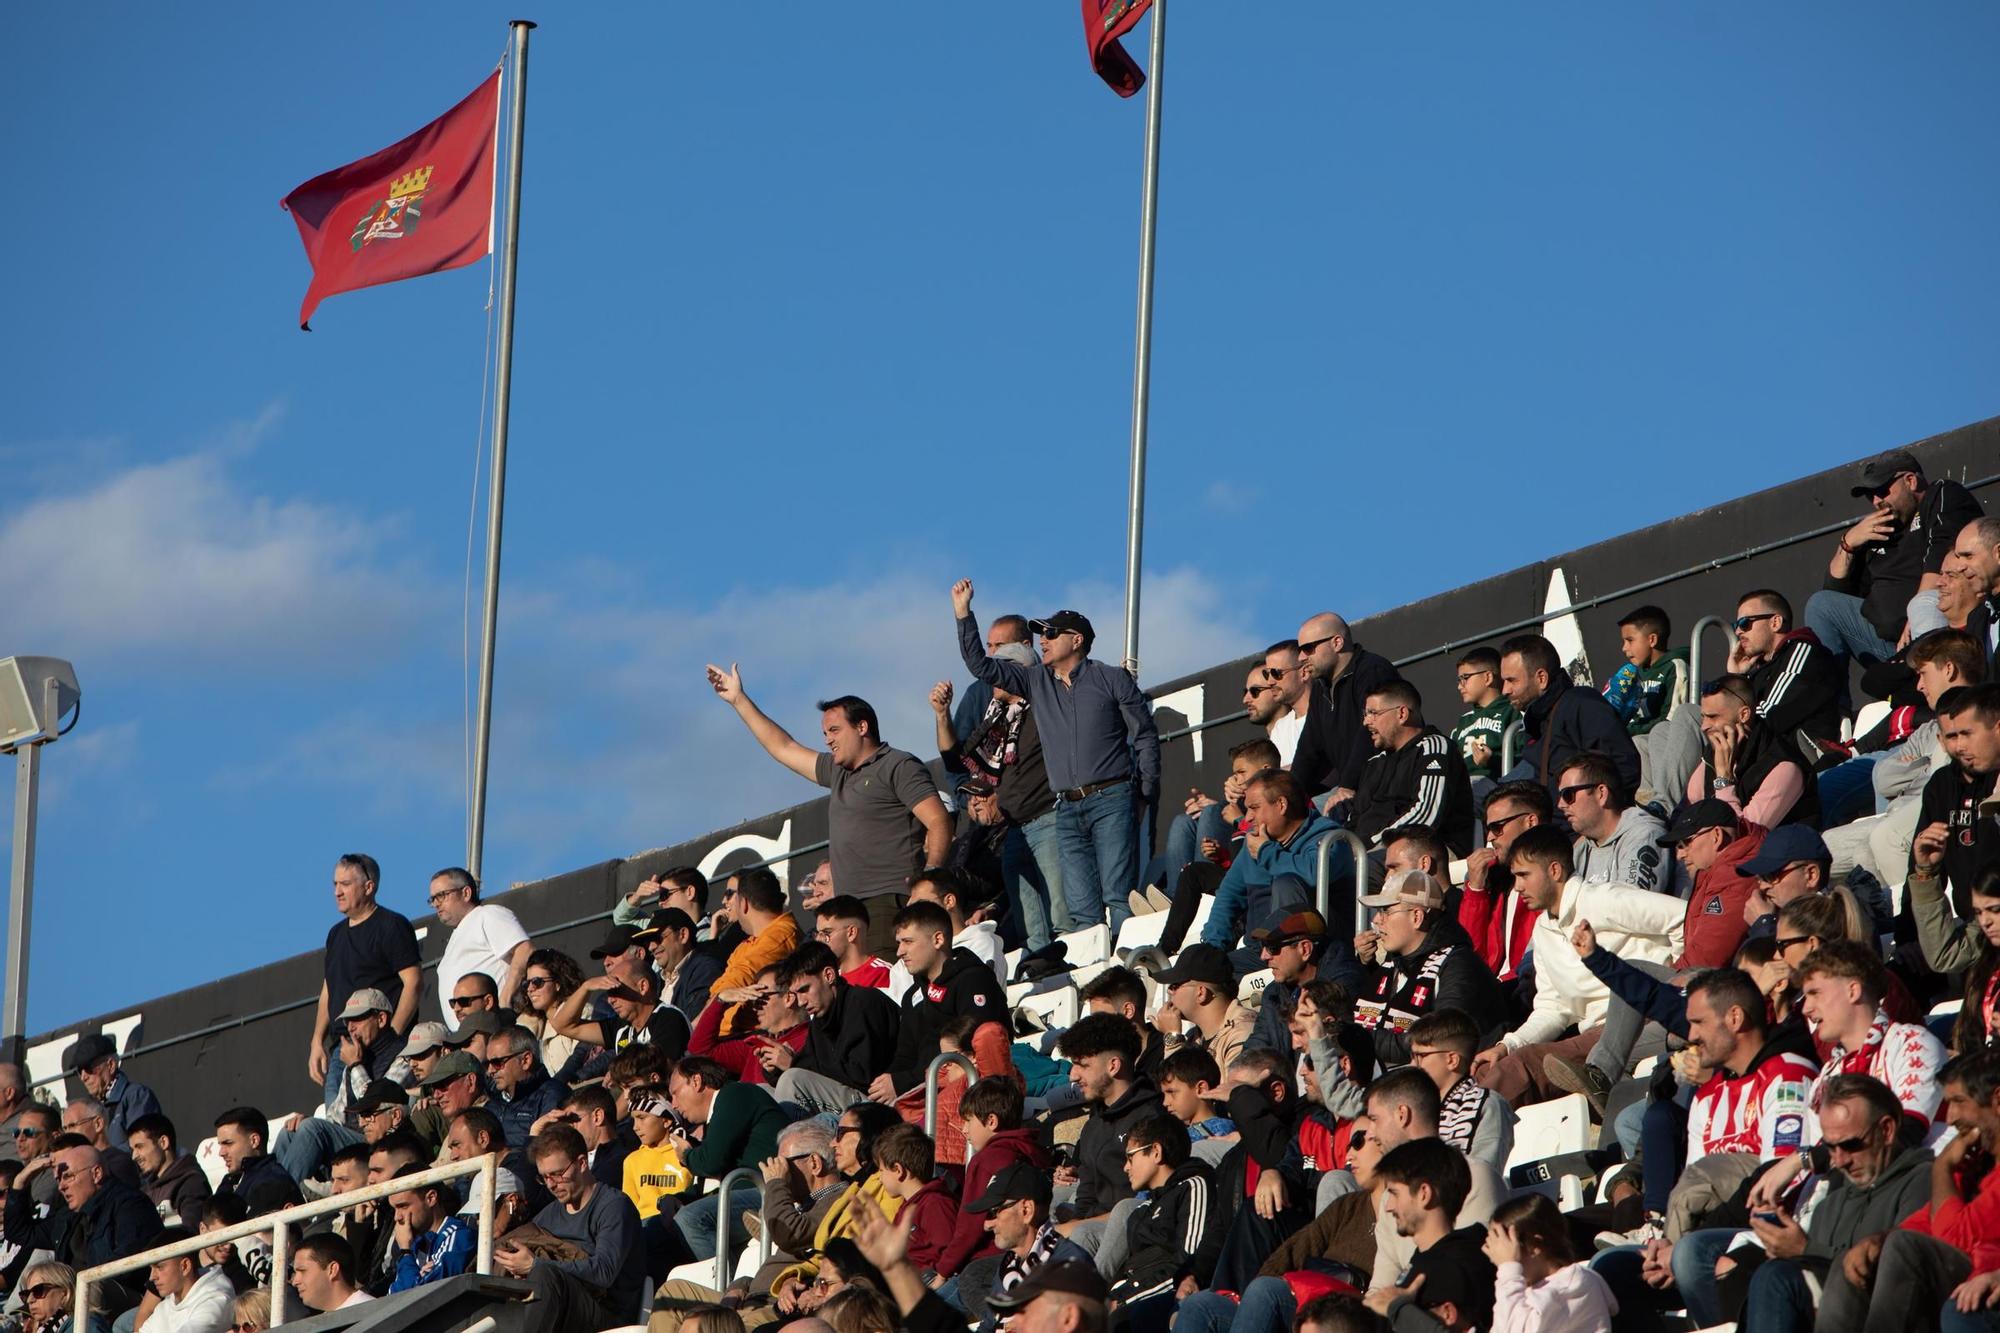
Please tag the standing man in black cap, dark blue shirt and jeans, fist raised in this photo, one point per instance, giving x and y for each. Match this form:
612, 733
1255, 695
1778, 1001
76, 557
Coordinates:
1099, 744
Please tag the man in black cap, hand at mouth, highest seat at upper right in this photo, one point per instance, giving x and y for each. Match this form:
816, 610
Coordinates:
1883, 577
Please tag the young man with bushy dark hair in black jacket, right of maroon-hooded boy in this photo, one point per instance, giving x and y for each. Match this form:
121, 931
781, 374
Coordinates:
1103, 1052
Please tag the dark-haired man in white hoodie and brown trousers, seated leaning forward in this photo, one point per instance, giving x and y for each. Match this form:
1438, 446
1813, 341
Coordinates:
1635, 924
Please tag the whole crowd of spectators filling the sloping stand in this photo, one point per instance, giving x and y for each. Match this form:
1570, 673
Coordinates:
1759, 946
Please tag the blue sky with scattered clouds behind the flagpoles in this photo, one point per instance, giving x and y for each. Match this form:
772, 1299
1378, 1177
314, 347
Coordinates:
823, 311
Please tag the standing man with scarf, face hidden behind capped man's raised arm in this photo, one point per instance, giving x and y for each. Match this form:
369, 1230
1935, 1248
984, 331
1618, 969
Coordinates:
1001, 778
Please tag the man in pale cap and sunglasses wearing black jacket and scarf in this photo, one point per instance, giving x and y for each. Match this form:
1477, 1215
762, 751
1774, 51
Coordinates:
1423, 962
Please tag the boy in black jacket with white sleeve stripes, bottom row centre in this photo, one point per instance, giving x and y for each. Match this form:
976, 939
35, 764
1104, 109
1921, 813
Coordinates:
1175, 1232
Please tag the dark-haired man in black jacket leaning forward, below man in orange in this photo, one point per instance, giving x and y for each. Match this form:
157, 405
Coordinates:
851, 1036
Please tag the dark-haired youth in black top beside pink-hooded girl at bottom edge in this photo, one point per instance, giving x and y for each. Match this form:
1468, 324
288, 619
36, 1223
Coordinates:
1425, 1182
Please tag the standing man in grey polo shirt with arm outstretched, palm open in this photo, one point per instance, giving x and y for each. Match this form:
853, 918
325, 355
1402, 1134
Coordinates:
885, 816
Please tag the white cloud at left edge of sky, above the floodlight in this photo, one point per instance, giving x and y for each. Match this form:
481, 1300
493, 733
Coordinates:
183, 561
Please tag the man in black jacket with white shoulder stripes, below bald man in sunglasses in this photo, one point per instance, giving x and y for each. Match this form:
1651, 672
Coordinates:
1415, 776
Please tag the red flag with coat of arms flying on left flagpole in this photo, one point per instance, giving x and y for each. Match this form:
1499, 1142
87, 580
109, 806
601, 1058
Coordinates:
417, 207
